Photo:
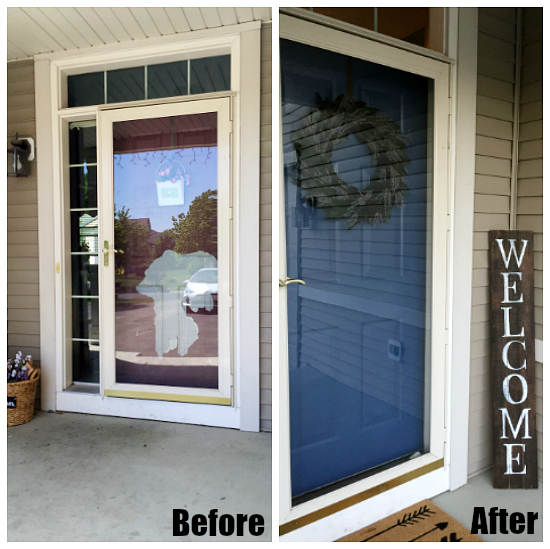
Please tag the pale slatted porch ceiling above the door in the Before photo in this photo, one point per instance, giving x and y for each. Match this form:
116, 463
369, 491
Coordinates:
45, 30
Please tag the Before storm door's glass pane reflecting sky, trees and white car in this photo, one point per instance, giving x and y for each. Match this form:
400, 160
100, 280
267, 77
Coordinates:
166, 267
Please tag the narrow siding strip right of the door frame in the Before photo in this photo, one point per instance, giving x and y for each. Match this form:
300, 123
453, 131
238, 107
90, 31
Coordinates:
265, 233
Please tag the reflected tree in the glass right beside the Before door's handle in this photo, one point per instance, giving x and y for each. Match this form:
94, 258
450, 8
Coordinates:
132, 239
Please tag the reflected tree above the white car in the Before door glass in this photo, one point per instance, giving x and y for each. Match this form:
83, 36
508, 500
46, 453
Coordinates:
198, 231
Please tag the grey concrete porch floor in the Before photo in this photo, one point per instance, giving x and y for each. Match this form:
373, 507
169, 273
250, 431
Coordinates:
94, 478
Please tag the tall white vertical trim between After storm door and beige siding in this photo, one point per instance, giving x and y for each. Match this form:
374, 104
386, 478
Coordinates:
463, 36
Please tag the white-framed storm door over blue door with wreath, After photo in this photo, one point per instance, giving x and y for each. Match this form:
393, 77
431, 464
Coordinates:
363, 274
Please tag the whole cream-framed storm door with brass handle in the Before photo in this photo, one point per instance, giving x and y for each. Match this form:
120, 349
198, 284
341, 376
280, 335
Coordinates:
165, 252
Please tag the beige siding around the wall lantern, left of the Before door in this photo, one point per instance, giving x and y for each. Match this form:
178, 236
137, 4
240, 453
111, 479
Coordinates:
22, 224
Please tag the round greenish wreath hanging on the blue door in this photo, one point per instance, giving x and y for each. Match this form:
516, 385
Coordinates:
322, 130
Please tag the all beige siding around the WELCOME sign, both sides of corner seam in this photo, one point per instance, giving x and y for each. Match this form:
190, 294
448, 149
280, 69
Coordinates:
494, 131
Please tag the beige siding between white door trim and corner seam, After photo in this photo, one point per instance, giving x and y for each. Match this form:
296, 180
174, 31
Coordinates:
494, 129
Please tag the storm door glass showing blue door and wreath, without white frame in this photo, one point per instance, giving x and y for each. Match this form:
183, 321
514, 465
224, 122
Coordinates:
358, 197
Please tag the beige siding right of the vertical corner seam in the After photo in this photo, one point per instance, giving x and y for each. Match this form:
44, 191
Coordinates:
529, 211
